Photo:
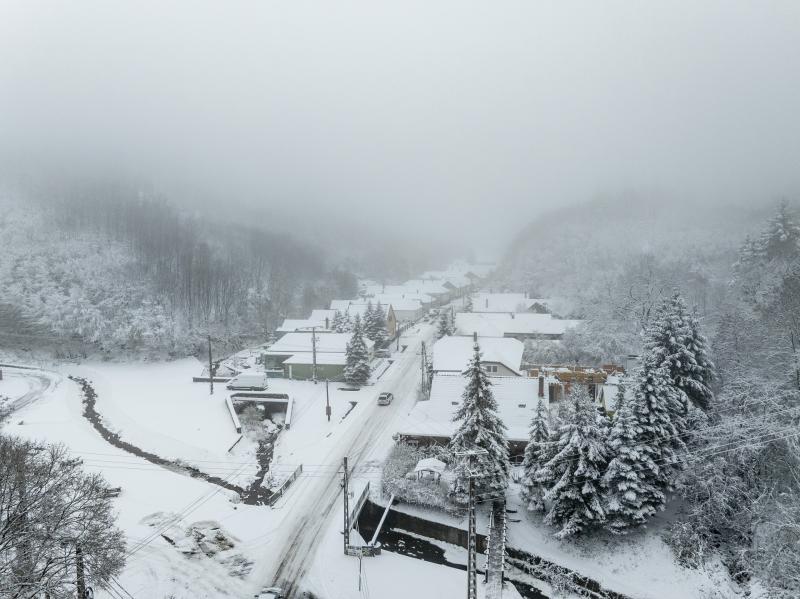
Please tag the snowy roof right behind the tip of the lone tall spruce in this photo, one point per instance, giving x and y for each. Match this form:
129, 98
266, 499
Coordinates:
454, 353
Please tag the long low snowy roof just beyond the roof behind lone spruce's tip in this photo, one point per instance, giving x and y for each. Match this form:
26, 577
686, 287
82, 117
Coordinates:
499, 324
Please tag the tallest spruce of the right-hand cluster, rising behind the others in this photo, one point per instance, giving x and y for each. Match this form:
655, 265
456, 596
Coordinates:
675, 342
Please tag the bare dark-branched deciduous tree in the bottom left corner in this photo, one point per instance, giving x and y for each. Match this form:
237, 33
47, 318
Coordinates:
49, 510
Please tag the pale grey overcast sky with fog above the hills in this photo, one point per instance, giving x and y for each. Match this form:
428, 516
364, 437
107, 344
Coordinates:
470, 116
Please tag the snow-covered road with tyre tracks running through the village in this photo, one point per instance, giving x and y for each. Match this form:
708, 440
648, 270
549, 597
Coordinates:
312, 503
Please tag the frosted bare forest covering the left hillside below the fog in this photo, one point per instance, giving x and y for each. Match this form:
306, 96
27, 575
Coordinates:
114, 271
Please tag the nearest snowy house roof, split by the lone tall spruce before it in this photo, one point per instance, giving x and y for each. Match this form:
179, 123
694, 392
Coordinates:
516, 397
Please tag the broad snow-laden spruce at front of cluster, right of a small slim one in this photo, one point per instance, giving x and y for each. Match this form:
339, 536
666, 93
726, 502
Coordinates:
577, 469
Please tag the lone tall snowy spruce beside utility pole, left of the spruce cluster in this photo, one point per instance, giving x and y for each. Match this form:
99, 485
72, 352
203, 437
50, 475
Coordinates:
480, 428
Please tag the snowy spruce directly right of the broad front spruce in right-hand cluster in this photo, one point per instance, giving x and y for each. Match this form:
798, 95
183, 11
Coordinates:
632, 494
